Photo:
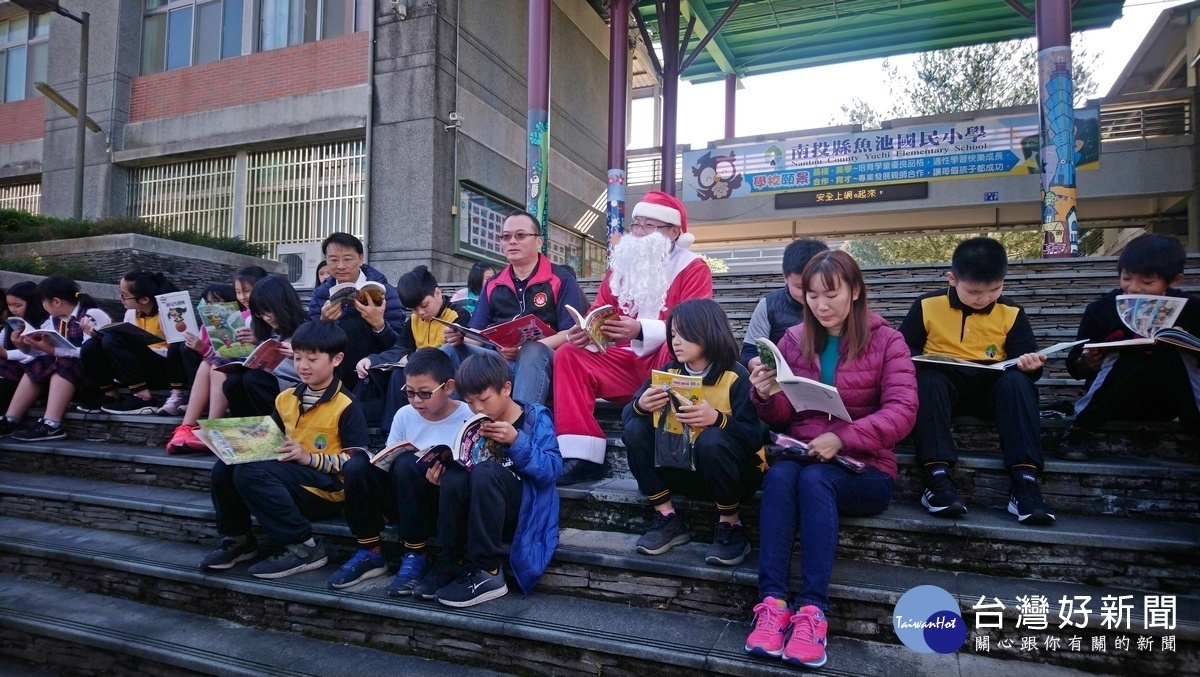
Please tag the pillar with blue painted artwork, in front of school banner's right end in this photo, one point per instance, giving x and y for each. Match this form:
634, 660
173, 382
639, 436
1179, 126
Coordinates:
1060, 221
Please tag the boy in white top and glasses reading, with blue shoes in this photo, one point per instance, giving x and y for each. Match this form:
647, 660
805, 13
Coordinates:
403, 495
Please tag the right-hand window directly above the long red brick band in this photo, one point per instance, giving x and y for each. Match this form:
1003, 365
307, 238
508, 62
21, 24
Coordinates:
291, 22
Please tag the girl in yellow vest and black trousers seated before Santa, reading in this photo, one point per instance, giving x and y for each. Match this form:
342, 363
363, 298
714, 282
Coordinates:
727, 448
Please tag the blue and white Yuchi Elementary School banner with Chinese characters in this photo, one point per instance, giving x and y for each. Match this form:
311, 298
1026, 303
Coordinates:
991, 147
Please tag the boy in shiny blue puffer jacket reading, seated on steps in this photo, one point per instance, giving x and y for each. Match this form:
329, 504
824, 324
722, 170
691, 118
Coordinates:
511, 496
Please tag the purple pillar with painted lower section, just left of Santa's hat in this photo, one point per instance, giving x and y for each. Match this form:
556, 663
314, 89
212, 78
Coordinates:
619, 100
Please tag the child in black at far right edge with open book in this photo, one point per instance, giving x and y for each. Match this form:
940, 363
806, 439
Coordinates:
1154, 382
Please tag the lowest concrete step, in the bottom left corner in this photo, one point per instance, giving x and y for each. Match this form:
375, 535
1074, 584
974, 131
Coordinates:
62, 627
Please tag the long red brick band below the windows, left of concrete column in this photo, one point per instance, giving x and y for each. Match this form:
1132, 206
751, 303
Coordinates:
302, 69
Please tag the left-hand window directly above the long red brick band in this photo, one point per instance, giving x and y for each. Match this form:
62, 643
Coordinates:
177, 34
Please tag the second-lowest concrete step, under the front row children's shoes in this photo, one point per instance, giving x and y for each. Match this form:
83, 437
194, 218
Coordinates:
539, 634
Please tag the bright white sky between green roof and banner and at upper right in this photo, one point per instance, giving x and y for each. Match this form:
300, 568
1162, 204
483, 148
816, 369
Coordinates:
783, 103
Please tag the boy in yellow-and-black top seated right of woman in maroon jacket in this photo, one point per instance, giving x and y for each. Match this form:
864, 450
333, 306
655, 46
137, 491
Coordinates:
973, 321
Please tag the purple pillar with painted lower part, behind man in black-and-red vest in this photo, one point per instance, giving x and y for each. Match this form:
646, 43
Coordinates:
538, 117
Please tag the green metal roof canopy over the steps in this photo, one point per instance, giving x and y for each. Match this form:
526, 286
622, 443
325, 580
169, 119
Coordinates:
767, 37
